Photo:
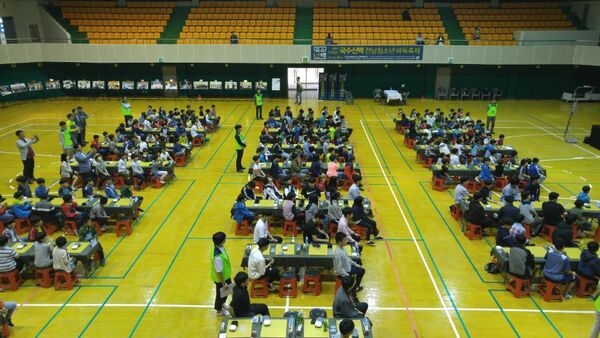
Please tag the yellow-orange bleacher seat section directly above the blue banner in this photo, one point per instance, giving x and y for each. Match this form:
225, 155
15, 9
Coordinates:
374, 22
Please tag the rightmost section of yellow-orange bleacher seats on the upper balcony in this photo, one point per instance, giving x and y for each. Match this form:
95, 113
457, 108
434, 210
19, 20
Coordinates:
498, 24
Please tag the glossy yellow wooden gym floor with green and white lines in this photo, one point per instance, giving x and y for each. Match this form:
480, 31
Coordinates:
426, 279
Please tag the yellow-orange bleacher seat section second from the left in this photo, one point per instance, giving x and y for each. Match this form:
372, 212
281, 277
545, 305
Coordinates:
252, 21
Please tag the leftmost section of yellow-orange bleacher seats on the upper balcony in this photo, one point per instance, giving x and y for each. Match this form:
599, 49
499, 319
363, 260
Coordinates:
138, 23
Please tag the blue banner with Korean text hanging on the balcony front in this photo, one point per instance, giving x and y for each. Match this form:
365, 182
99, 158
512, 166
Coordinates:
349, 53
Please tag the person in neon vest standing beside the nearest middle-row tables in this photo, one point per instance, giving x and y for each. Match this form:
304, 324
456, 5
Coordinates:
220, 272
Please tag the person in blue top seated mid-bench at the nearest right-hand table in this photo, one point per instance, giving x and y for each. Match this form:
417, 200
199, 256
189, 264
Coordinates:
558, 268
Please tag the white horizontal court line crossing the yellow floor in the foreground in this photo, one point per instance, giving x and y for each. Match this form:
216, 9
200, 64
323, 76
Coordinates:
374, 308
